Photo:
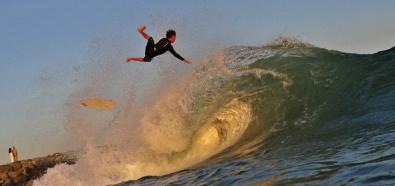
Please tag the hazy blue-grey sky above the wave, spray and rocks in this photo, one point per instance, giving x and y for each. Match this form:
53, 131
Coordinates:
43, 42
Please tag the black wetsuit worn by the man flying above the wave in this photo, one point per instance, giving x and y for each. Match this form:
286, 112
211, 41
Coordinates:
152, 50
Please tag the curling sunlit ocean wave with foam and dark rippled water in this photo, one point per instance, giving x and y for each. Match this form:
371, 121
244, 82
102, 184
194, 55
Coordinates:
286, 113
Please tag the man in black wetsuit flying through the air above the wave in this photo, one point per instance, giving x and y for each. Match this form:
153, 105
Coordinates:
152, 50
